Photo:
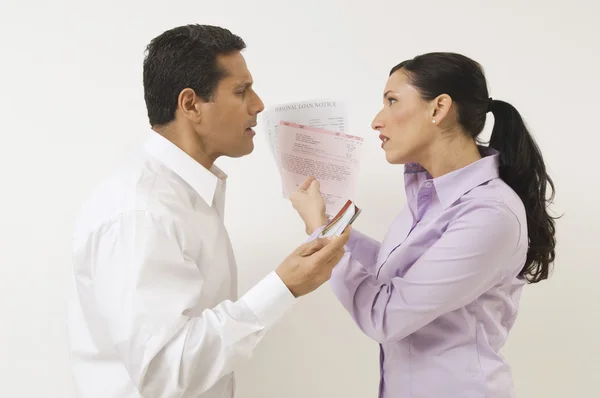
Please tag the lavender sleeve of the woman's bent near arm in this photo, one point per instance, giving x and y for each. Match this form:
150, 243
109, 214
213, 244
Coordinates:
477, 251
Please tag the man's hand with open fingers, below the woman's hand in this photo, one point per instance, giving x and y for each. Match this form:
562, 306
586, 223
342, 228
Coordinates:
310, 265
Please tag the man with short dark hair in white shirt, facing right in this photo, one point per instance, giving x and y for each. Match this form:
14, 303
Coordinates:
155, 311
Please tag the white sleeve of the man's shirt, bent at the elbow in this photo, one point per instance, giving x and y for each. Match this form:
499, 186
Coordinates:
154, 300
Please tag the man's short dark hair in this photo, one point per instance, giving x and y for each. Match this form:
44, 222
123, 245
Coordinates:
184, 57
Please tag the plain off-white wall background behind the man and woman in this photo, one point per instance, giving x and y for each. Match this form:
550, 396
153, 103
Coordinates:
71, 105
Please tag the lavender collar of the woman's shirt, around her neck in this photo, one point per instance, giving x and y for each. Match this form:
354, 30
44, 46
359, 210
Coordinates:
450, 187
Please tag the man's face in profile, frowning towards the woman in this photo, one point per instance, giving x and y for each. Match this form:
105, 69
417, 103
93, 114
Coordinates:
227, 121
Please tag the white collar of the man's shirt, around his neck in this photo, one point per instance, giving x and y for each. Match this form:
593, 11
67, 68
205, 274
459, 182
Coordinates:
202, 180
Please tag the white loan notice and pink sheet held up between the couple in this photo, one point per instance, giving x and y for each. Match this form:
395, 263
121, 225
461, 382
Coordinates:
310, 139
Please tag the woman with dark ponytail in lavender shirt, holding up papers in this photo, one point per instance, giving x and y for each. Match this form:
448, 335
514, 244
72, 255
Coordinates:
440, 293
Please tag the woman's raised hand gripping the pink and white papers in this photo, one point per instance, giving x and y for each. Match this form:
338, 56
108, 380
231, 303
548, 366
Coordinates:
309, 204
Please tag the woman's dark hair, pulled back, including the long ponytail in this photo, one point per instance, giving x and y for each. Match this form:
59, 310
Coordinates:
521, 163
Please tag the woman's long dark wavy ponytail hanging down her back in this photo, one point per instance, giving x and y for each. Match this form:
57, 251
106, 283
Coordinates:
522, 168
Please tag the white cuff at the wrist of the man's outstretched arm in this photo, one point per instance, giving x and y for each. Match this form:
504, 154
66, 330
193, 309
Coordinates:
269, 299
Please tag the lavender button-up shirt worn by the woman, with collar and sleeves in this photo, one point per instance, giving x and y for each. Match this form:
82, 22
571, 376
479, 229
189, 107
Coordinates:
440, 293
